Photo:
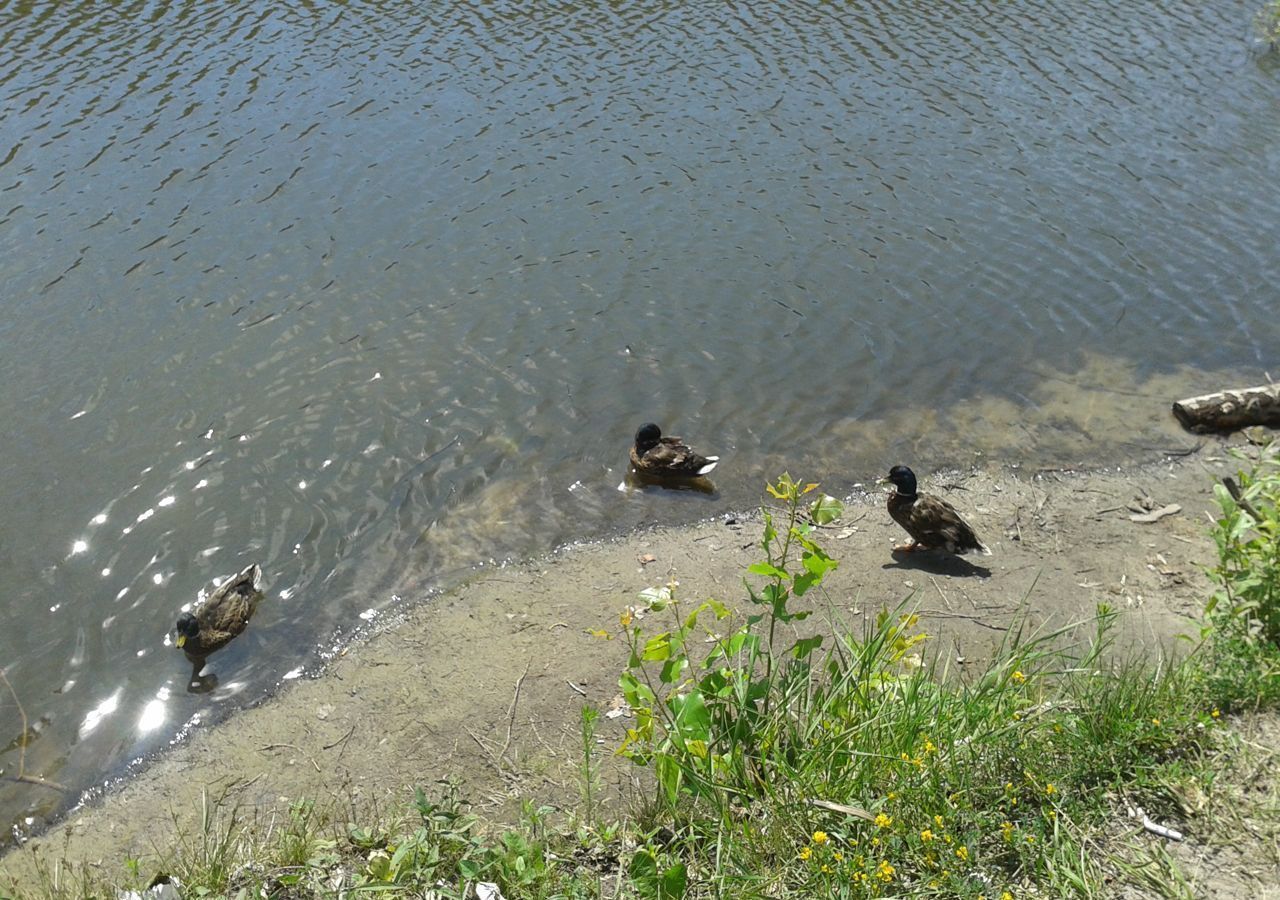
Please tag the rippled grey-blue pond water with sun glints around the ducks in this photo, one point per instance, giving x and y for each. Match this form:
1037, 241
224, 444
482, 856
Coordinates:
372, 295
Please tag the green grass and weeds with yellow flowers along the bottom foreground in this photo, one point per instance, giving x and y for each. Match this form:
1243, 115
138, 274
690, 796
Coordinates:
849, 764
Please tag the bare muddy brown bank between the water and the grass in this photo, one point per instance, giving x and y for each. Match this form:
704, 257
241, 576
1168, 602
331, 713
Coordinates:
484, 684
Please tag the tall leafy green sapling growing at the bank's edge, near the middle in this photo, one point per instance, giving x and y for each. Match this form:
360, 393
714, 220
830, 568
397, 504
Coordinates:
707, 725
